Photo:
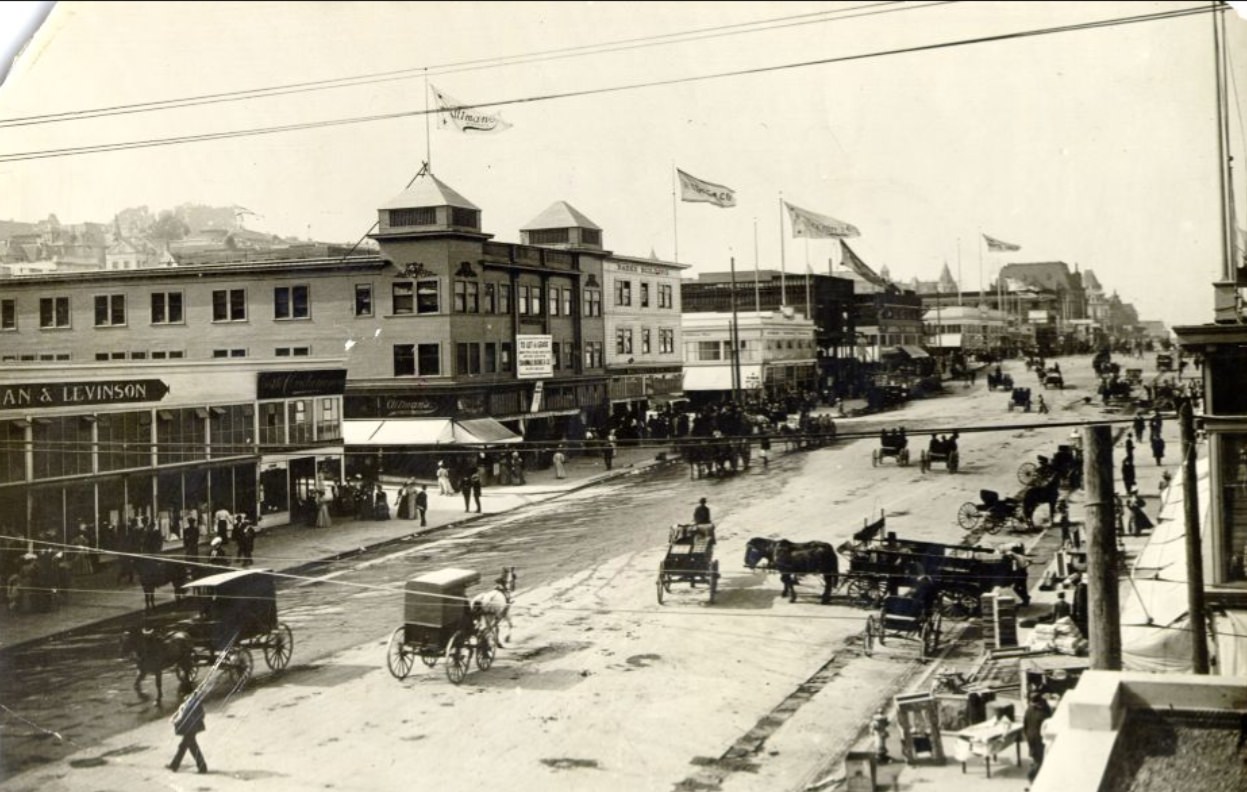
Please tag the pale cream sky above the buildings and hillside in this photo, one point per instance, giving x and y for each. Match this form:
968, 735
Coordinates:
1092, 147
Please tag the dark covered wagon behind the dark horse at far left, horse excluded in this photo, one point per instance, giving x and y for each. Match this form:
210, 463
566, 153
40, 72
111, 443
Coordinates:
238, 614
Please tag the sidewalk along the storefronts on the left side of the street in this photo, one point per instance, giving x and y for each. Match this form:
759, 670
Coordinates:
100, 597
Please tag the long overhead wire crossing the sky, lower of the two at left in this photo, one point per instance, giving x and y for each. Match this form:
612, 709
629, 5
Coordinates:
24, 157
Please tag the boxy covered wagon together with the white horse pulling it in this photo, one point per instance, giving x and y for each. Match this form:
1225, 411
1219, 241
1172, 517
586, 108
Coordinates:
440, 622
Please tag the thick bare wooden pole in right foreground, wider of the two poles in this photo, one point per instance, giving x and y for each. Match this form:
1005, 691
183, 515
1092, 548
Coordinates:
1104, 617
